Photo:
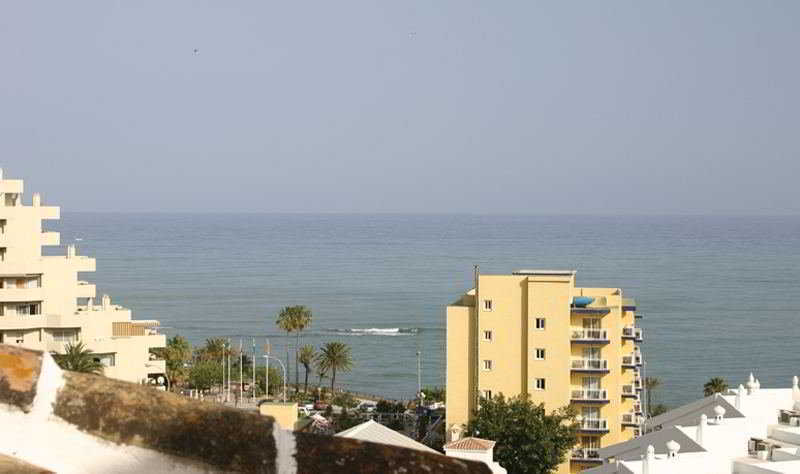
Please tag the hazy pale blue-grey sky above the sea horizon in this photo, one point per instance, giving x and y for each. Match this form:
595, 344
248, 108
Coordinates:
618, 107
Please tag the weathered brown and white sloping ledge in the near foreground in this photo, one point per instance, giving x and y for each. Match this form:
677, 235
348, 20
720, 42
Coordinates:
134, 428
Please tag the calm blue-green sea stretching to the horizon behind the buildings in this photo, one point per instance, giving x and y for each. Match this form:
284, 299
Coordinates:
717, 293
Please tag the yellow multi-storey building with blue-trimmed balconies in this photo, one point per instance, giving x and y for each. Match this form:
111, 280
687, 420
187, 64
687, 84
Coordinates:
534, 332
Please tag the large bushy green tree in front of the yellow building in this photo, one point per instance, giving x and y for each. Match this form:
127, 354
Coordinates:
529, 441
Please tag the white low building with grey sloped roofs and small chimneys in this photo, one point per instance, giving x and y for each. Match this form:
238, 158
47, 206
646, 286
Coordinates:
748, 430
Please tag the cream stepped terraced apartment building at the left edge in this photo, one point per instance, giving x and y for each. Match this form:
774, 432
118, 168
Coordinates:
45, 306
